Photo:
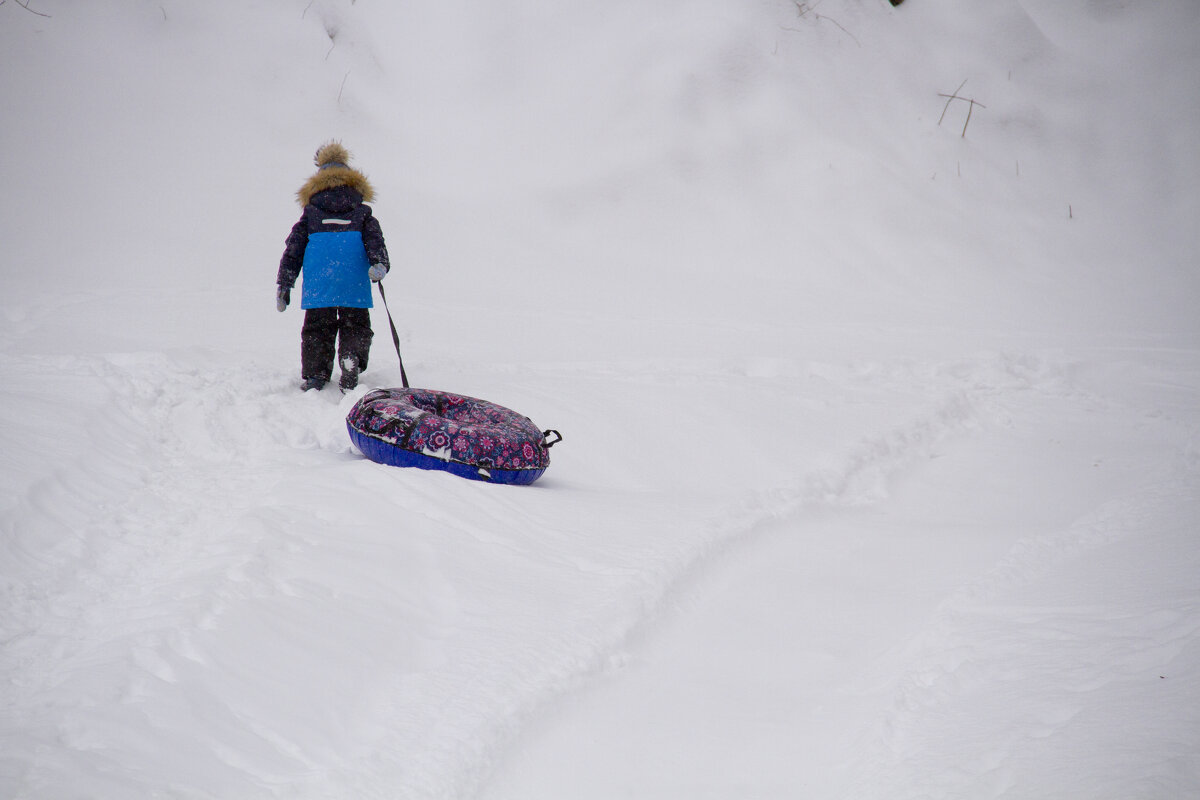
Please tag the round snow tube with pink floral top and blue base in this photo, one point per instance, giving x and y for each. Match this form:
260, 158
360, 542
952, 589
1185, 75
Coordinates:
464, 436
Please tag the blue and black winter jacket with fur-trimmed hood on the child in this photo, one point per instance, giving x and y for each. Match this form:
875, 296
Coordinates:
335, 242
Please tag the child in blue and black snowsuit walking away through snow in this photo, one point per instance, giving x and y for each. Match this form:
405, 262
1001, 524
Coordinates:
339, 245
